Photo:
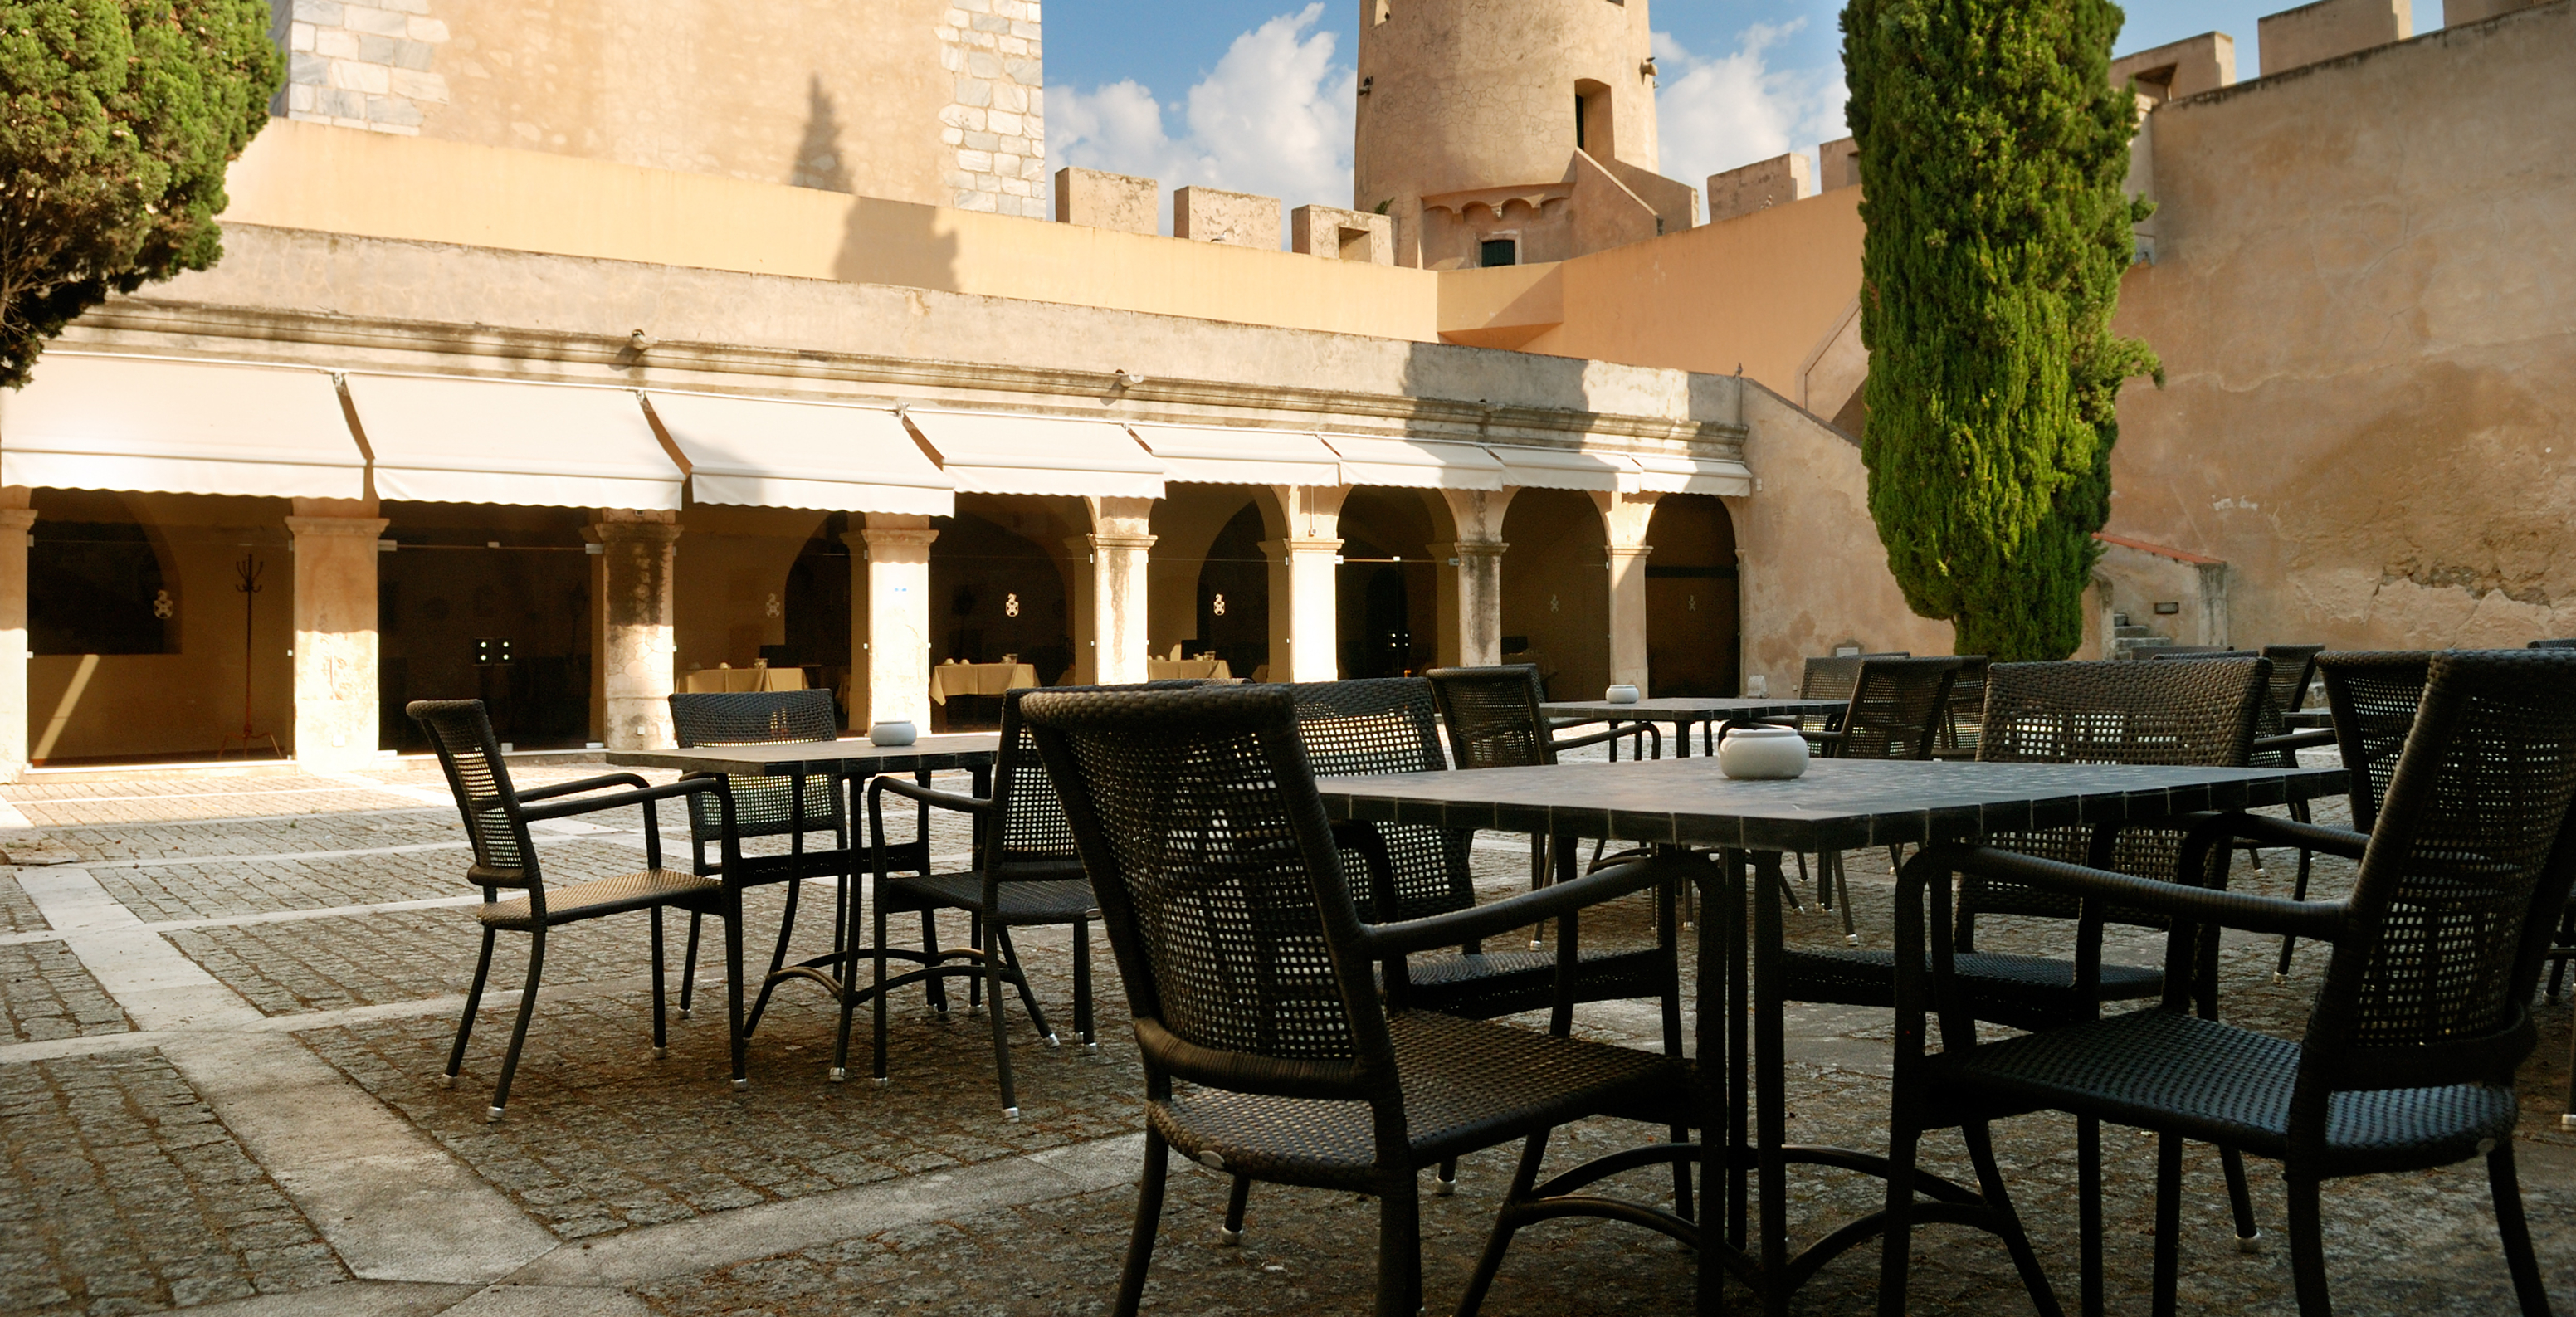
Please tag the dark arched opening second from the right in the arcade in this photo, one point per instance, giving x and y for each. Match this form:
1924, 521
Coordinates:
1557, 591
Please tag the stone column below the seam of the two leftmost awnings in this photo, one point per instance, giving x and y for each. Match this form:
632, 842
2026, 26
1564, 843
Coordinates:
336, 633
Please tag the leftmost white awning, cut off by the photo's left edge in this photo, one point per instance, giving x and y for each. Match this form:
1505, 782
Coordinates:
179, 427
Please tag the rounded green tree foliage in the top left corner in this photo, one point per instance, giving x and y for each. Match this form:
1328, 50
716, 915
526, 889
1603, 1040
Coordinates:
117, 120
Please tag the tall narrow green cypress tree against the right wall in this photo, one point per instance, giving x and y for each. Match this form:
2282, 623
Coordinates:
1993, 151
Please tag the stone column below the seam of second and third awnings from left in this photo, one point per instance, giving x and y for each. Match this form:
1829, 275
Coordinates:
638, 648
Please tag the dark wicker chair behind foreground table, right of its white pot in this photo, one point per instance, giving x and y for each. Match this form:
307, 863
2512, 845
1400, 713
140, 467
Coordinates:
2078, 713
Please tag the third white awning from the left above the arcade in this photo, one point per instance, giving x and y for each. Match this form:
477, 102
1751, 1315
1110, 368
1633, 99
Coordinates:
802, 455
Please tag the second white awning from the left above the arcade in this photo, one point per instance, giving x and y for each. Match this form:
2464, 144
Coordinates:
444, 439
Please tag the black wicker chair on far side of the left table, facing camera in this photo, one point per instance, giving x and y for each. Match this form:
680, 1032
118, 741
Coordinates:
766, 808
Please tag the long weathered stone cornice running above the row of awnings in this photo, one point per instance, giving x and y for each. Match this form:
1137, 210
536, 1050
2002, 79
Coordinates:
676, 365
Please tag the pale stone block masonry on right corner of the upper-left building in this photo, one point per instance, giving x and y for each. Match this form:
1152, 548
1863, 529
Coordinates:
996, 130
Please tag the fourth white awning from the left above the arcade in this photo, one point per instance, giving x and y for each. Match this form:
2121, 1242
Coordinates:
1039, 455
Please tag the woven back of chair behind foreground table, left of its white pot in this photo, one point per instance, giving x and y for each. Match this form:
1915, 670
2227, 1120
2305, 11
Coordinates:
1387, 726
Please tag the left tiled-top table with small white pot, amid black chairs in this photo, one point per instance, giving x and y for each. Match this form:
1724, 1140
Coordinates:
846, 762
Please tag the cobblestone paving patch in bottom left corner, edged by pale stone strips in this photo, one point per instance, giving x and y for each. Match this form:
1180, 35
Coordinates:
120, 1192
